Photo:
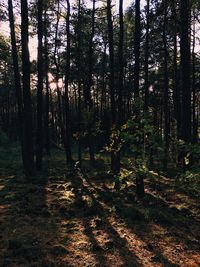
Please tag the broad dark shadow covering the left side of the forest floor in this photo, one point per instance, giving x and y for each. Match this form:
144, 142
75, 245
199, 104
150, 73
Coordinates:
28, 228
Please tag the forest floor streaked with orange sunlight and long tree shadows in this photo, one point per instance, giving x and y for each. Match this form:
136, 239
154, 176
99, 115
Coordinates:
67, 218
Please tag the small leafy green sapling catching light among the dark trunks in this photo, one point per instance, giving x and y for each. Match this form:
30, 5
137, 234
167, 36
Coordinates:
140, 139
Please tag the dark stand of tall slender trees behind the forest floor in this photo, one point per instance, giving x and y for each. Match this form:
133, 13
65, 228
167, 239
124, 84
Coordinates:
127, 82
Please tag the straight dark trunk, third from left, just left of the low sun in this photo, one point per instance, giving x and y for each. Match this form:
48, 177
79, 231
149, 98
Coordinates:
39, 137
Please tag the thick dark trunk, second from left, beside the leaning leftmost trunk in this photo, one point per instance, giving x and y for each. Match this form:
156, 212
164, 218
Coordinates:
28, 134
